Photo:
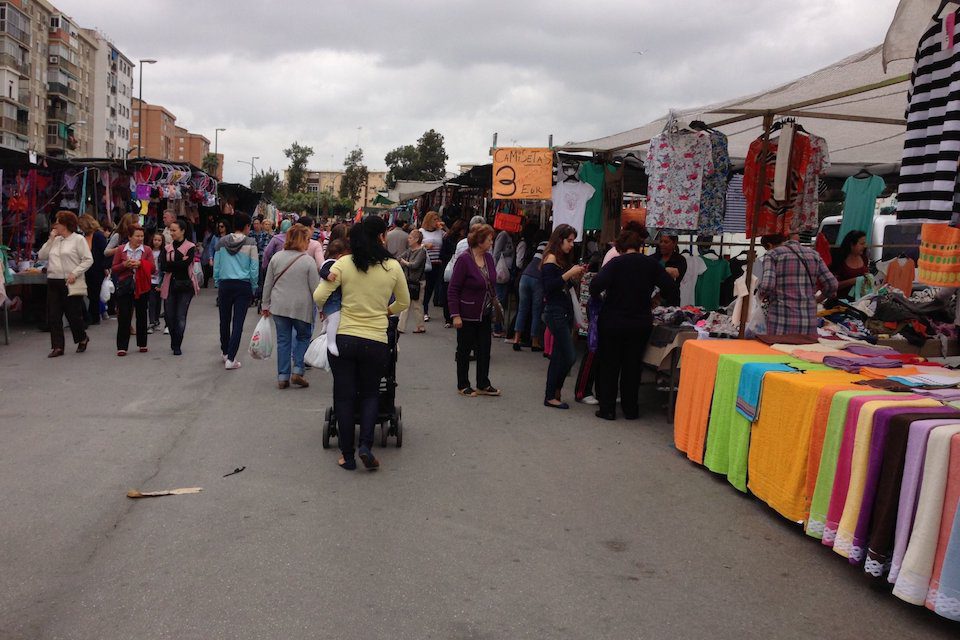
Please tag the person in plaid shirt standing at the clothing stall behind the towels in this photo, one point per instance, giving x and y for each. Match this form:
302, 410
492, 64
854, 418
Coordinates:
792, 276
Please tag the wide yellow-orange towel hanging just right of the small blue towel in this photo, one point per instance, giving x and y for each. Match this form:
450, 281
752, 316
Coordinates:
780, 440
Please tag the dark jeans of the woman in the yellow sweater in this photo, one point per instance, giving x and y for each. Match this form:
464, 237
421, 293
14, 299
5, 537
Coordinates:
356, 381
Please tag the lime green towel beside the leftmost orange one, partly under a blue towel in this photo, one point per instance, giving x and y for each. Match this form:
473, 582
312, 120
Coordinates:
728, 432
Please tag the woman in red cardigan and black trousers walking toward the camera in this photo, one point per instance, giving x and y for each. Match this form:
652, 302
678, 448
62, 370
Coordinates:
133, 264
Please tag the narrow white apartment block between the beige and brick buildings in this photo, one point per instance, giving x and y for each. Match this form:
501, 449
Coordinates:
111, 111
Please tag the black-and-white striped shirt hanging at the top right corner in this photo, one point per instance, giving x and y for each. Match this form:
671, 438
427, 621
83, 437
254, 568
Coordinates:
931, 149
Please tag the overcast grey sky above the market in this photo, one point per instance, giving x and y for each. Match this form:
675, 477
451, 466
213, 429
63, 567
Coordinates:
329, 73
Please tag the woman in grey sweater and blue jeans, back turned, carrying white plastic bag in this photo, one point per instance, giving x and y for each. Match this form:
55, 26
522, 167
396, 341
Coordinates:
288, 287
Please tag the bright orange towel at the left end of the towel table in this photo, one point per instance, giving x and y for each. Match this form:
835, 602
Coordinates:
698, 372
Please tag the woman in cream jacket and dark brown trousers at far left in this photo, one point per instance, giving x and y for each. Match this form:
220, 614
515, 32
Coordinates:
68, 258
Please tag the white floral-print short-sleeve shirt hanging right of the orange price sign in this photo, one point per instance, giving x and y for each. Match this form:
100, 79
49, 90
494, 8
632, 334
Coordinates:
675, 165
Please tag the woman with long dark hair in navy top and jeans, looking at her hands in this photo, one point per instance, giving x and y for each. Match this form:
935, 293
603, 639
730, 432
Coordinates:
558, 274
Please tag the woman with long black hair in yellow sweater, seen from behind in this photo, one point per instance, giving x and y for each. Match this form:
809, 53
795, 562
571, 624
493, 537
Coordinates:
366, 278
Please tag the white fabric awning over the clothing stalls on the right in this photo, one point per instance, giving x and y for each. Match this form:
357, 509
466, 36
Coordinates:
853, 143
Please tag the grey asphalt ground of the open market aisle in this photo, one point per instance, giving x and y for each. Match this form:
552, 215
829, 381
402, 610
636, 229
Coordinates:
498, 518
